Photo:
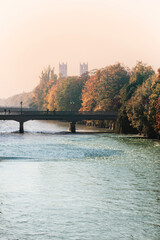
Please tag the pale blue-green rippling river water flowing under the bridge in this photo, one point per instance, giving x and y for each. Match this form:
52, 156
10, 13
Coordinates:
84, 186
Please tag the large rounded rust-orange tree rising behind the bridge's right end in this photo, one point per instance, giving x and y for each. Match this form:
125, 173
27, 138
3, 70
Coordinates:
102, 90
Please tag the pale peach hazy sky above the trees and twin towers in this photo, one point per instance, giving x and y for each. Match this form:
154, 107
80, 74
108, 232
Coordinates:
38, 33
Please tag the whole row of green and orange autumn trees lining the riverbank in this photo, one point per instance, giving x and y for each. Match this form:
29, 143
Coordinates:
134, 93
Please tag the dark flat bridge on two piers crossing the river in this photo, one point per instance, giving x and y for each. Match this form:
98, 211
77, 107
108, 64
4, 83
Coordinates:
69, 116
